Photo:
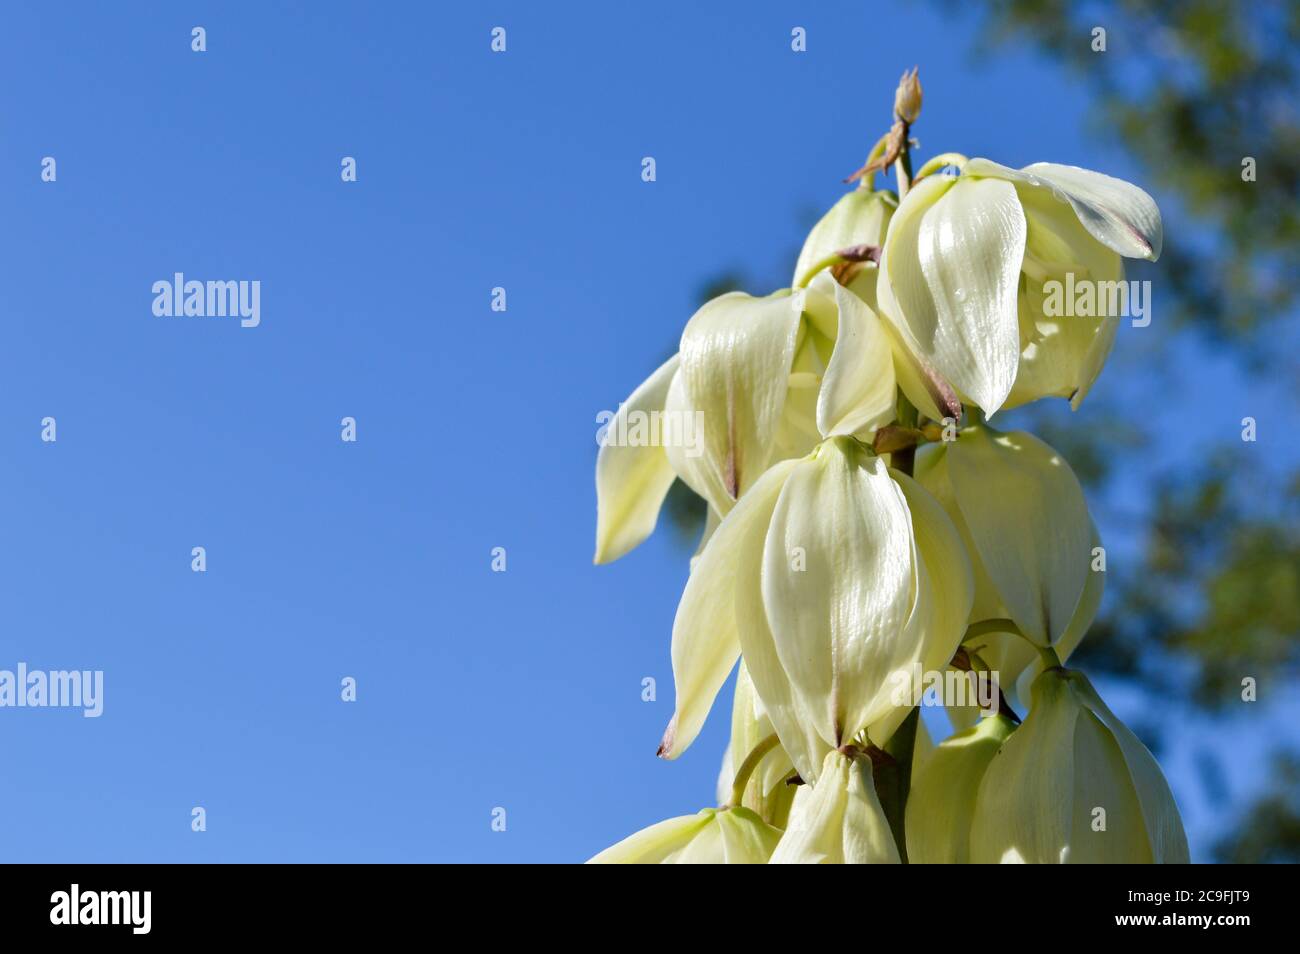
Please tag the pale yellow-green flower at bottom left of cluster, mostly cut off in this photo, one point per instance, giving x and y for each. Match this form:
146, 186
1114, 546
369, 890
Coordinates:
716, 836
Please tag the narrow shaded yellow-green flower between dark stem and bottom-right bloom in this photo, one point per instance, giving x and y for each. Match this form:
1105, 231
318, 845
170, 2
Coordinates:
943, 793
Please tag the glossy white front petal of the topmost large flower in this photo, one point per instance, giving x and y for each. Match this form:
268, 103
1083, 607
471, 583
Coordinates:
951, 272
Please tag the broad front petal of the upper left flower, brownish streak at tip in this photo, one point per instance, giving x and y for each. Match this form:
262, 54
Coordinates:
735, 365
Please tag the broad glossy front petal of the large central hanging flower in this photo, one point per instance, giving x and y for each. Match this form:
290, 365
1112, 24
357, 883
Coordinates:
839, 618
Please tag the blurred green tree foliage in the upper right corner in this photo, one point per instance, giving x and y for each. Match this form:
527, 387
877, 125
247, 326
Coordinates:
1191, 89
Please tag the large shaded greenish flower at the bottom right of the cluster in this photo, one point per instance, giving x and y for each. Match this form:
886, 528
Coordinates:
1074, 786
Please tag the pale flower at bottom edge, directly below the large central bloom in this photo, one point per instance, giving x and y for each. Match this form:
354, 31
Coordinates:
840, 821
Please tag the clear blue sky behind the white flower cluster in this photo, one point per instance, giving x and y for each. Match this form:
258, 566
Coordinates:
476, 430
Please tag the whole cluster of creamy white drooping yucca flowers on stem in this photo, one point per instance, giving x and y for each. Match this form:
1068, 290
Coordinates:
866, 523
